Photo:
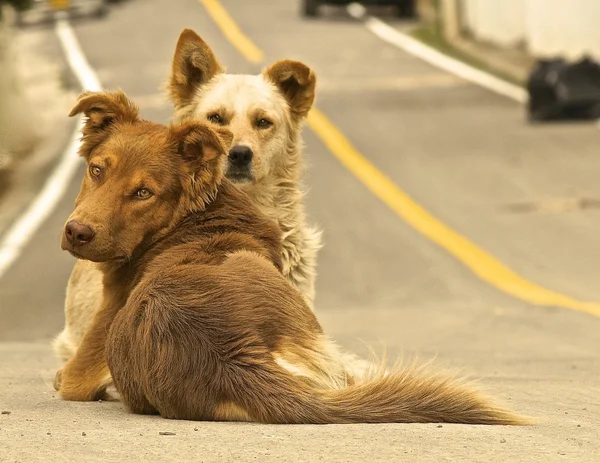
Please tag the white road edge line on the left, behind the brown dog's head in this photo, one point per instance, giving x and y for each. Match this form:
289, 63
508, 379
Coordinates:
19, 234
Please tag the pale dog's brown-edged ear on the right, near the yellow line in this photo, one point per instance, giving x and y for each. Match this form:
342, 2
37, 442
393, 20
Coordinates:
296, 82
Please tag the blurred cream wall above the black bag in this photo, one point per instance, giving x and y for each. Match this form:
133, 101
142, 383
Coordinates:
545, 27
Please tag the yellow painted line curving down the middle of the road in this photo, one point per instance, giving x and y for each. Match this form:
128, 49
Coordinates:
481, 263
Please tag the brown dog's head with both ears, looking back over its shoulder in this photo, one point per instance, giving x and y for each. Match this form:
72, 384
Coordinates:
141, 178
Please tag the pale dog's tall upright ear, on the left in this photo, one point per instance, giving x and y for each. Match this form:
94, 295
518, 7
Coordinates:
194, 64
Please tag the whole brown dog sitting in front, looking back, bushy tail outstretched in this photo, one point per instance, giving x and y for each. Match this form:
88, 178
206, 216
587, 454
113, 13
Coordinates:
205, 325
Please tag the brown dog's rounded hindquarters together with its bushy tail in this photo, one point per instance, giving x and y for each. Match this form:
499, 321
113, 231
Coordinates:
194, 343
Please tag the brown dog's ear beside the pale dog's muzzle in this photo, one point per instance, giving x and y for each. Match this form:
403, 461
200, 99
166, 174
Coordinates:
202, 150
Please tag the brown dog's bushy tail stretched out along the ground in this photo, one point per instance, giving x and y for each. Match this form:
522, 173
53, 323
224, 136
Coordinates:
402, 396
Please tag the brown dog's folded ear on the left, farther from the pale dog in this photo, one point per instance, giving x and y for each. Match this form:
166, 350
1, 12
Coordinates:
102, 109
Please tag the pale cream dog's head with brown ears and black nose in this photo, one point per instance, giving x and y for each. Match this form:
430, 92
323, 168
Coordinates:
263, 112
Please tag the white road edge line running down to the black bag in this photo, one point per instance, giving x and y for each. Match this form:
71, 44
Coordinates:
434, 57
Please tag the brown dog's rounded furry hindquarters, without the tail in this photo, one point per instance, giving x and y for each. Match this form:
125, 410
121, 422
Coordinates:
189, 334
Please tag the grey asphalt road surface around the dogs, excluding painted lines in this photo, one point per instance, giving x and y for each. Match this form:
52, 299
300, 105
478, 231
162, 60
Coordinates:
464, 153
